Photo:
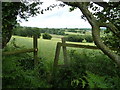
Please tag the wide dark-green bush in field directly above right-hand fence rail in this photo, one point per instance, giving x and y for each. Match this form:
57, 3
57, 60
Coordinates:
75, 38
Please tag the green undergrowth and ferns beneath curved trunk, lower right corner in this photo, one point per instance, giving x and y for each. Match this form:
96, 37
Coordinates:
100, 71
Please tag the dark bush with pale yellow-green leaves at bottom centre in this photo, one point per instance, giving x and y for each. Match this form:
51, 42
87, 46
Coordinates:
71, 76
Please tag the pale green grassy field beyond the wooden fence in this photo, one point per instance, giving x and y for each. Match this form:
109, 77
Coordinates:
46, 47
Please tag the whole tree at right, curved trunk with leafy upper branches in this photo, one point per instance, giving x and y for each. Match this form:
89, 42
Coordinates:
102, 19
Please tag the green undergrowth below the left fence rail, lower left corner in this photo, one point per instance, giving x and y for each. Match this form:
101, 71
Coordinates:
19, 72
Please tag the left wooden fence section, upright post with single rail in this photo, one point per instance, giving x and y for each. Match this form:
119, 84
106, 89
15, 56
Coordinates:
34, 50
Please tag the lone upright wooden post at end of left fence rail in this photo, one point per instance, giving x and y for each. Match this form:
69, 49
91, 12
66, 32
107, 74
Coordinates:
35, 46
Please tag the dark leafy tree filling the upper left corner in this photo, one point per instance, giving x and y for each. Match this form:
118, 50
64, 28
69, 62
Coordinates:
10, 11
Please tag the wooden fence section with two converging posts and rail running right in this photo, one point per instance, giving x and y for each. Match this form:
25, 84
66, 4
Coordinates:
64, 45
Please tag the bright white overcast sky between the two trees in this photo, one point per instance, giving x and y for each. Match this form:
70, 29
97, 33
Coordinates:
57, 18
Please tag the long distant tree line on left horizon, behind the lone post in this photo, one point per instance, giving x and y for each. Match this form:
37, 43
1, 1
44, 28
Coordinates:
30, 31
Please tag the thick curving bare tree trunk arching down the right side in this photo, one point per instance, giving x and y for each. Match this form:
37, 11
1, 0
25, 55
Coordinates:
96, 30
